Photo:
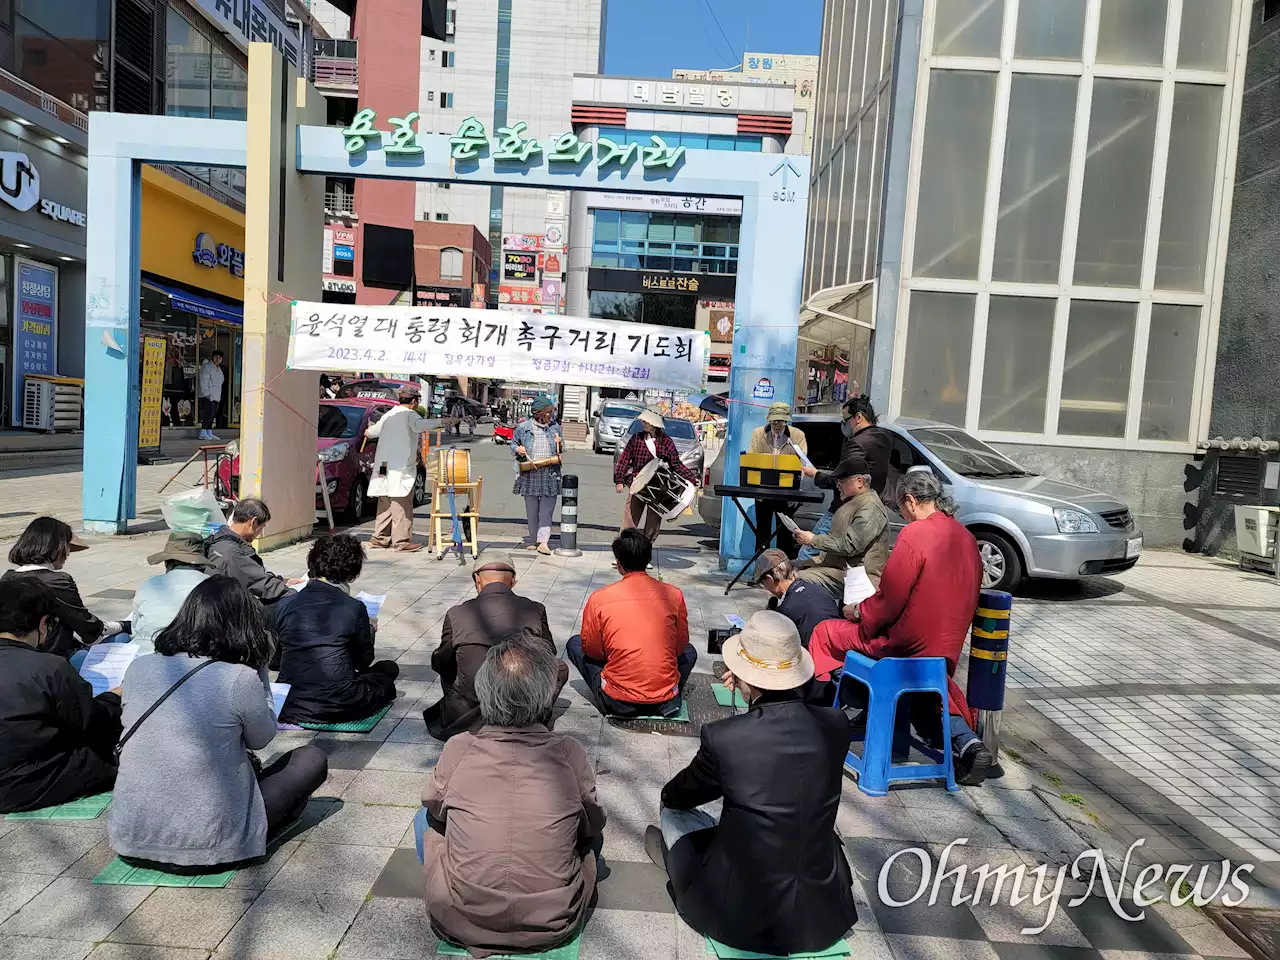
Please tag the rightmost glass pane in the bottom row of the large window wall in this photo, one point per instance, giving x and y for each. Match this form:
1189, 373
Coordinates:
1168, 386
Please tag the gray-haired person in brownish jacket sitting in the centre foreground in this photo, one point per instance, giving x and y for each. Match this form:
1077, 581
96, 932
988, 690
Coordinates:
510, 816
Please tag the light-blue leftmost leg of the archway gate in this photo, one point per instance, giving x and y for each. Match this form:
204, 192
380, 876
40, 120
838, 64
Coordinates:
112, 342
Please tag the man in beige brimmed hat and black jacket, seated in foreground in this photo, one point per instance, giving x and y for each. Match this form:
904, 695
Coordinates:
779, 769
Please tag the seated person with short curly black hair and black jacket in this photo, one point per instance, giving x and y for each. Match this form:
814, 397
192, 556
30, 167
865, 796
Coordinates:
327, 642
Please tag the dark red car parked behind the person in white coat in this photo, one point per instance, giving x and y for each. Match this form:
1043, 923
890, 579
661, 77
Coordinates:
340, 437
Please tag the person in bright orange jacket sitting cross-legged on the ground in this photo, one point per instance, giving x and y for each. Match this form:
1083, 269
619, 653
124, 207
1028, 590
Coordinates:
634, 651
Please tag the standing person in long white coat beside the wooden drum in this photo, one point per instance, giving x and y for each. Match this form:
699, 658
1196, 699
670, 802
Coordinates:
396, 472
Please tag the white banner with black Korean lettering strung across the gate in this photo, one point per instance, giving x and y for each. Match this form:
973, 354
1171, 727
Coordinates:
510, 346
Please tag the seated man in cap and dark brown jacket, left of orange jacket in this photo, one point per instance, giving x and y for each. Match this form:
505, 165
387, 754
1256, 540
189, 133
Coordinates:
470, 629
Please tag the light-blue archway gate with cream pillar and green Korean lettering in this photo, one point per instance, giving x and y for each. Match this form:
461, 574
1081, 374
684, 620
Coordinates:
286, 153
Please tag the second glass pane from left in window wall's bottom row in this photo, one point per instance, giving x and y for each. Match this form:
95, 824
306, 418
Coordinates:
1016, 371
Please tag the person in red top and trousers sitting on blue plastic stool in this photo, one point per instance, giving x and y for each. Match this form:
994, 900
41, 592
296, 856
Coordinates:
925, 607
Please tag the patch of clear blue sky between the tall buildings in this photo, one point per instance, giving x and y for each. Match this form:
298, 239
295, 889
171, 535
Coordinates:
650, 38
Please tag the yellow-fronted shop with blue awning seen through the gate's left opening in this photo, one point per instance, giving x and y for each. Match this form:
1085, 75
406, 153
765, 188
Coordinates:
193, 292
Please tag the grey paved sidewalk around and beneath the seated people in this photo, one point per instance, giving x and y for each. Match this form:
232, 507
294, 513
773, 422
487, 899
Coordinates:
349, 886
